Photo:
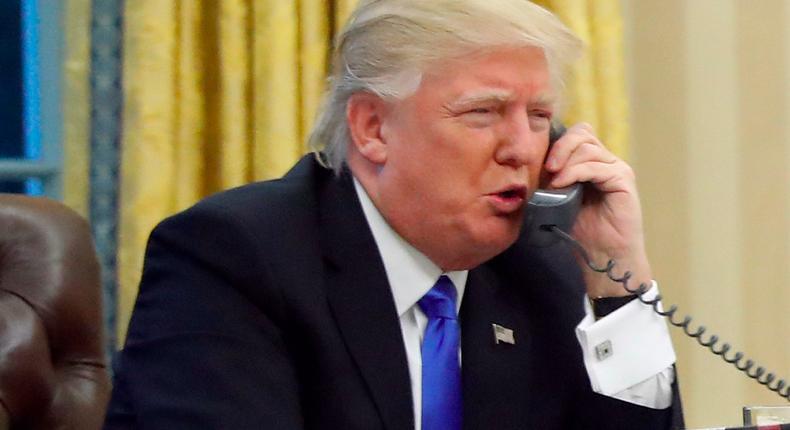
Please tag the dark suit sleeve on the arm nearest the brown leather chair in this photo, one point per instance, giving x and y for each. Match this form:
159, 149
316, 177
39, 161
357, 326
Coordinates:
205, 348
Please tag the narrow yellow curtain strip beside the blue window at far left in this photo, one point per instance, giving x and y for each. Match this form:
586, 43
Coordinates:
76, 96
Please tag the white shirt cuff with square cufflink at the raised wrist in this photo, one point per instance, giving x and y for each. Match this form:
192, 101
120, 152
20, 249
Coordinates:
625, 348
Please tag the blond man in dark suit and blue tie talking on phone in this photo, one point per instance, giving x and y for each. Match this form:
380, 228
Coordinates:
329, 298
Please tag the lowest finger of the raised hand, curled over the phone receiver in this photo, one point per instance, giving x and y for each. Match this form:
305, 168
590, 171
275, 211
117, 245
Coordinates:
607, 177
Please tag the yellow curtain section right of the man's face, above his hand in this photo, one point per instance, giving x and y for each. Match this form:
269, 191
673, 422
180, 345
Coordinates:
596, 87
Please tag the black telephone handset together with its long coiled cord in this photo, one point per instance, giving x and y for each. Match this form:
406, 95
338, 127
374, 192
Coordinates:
550, 215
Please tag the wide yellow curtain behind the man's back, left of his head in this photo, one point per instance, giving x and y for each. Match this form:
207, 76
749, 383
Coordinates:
217, 94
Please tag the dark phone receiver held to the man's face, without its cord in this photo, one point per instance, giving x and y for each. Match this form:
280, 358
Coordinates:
552, 207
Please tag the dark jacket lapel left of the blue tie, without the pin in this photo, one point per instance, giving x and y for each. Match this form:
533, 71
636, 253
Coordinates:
362, 304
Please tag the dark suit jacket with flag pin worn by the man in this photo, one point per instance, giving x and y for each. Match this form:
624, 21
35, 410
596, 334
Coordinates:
267, 306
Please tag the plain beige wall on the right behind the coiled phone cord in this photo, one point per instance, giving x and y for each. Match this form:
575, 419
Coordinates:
709, 82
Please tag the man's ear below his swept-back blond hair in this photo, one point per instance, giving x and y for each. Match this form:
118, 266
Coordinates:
365, 113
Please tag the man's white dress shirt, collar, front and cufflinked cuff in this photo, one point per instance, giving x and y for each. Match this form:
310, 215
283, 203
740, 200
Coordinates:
639, 369
